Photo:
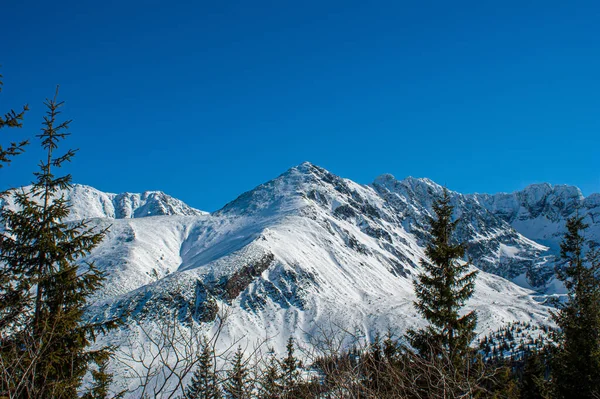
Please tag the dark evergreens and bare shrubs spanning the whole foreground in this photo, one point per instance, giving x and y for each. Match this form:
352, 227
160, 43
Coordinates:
48, 348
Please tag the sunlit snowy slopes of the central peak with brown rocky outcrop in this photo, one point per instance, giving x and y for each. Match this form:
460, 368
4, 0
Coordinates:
303, 251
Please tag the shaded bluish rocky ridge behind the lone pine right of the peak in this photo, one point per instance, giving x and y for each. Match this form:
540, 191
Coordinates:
493, 244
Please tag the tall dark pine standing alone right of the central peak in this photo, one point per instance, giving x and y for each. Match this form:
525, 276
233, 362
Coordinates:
443, 289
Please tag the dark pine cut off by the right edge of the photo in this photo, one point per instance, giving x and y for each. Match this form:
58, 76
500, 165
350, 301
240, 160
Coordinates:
576, 365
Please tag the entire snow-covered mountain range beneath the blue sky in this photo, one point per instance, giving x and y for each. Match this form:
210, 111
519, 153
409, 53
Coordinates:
310, 250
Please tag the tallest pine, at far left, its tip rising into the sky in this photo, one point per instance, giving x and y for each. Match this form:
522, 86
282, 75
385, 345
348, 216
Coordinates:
47, 350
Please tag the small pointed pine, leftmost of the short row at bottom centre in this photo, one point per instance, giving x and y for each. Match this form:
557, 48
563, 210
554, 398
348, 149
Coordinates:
204, 384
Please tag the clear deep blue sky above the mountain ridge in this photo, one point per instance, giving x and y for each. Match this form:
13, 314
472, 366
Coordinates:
207, 99
